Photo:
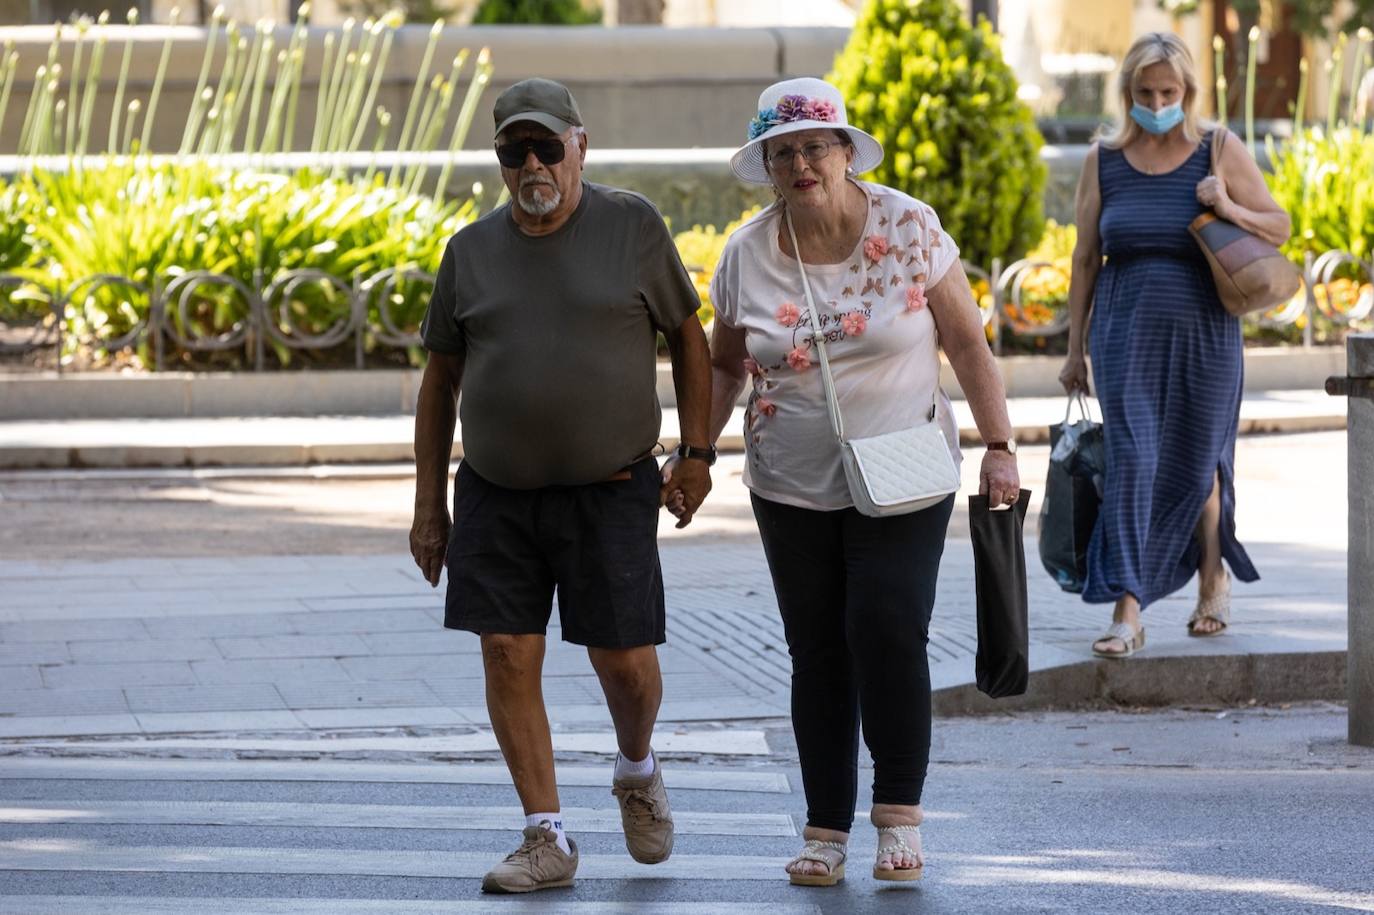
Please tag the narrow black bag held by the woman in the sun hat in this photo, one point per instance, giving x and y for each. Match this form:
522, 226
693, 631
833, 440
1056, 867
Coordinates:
1000, 574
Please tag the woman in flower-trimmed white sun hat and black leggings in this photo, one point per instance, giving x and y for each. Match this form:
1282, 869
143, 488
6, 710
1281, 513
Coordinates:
855, 591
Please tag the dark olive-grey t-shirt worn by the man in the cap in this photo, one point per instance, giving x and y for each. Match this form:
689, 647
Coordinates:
559, 337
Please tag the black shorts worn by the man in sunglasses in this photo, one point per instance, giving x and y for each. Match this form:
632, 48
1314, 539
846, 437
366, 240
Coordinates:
596, 545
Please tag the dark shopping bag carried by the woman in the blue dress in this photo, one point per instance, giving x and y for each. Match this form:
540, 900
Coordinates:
1072, 497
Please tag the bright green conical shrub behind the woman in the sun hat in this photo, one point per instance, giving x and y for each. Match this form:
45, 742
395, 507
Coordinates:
939, 97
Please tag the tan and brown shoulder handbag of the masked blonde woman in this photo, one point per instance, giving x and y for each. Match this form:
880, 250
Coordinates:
1251, 274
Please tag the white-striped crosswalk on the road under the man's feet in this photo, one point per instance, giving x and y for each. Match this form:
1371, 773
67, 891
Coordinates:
106, 836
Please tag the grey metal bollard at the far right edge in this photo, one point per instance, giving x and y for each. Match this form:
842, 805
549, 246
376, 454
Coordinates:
1358, 387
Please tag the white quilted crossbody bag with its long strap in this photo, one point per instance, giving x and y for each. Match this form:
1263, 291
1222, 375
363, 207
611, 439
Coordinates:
894, 473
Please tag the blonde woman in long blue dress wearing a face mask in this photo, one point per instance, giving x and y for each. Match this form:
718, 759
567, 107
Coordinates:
1166, 355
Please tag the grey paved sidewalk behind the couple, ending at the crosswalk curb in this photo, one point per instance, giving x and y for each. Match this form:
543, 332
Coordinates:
282, 644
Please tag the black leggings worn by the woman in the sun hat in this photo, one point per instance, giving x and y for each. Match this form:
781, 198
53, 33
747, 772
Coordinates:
855, 596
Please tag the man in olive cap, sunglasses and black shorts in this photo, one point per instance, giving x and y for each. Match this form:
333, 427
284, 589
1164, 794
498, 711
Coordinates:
545, 313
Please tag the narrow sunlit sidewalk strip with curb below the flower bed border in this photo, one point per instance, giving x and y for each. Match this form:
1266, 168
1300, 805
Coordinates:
306, 440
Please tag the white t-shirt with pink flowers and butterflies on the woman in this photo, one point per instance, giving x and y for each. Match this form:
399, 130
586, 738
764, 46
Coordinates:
880, 336
